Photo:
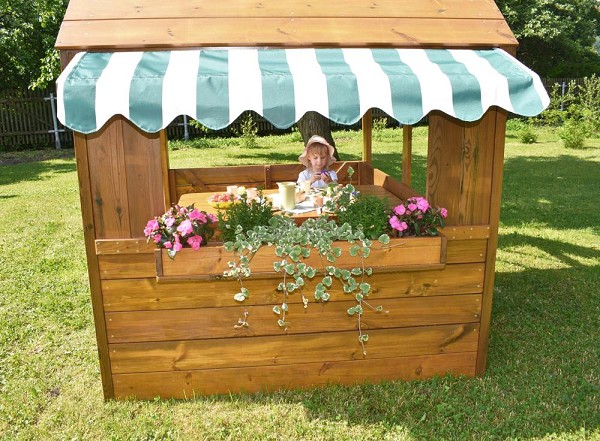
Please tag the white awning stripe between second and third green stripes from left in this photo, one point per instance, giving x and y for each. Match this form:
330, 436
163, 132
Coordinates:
179, 85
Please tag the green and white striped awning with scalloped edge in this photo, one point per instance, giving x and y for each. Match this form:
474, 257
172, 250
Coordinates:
214, 86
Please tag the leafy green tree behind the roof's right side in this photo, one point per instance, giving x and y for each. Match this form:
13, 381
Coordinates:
556, 37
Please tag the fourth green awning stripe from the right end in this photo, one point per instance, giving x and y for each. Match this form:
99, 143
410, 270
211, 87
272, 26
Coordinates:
342, 87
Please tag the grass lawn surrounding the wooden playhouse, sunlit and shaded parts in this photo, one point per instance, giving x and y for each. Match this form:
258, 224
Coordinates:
543, 375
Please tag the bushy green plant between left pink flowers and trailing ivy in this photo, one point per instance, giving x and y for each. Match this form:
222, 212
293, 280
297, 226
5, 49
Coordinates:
244, 216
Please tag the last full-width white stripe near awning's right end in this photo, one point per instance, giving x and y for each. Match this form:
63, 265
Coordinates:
493, 85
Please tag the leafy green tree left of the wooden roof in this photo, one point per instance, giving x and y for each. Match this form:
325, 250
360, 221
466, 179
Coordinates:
28, 30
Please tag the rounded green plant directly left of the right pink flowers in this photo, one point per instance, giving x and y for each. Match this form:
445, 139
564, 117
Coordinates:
367, 212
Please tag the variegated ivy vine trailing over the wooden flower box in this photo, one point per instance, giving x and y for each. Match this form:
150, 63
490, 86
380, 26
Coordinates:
293, 246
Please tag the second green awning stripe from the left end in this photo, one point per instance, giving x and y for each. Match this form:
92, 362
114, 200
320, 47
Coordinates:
145, 92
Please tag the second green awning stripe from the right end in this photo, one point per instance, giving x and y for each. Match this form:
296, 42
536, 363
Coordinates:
466, 91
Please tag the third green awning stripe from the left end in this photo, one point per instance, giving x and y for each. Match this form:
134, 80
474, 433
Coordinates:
212, 89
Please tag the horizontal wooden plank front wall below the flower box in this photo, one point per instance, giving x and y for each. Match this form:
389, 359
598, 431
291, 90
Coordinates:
177, 339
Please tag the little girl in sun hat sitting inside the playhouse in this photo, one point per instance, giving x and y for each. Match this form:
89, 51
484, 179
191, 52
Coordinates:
317, 157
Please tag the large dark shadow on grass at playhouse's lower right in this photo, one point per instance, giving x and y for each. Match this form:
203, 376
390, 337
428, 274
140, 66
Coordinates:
542, 375
